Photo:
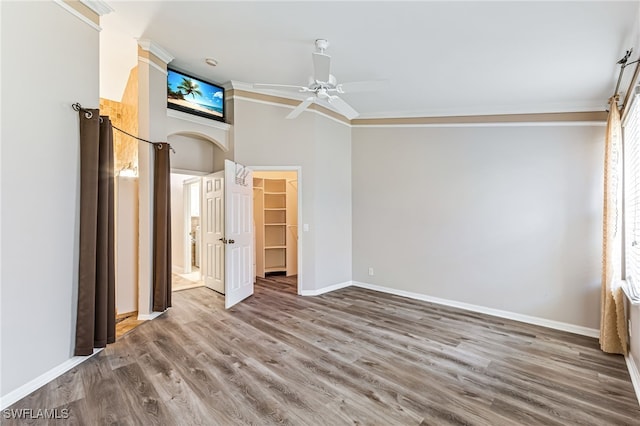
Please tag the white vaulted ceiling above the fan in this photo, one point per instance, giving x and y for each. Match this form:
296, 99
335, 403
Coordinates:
440, 58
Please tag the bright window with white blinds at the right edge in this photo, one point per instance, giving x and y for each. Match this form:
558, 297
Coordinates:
631, 137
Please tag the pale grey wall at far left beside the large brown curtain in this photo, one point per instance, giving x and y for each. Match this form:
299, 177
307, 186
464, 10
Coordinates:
55, 56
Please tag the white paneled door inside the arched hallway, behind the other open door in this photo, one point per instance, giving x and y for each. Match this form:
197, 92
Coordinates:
213, 231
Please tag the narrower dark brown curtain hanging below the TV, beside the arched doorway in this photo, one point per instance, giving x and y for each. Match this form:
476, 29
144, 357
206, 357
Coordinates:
161, 228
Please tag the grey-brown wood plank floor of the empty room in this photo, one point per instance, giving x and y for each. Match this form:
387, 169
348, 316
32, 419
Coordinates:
352, 356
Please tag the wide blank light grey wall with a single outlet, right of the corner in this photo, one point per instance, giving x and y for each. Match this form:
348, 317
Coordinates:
507, 218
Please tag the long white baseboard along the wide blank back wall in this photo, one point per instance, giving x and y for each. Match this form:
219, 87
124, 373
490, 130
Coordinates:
557, 325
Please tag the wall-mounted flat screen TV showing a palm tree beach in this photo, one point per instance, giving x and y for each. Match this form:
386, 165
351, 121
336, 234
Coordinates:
194, 96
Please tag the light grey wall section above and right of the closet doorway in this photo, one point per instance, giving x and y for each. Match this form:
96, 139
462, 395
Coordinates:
322, 148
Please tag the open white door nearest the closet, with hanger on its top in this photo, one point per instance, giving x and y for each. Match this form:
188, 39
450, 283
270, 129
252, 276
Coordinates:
238, 218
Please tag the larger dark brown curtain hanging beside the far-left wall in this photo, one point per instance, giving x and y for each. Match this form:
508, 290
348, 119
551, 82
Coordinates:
95, 323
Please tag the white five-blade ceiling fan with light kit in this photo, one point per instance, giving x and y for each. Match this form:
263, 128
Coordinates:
323, 86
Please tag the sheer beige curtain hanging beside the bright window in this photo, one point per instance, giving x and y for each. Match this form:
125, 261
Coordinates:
613, 327
